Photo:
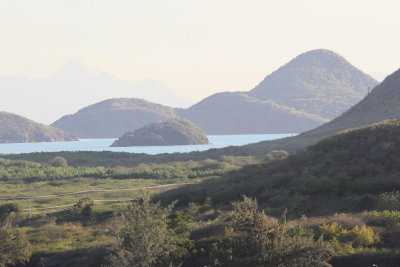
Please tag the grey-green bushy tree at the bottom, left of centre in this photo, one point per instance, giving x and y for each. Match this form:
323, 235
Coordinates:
151, 235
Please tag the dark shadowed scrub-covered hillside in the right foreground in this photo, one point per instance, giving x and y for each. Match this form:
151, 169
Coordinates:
344, 172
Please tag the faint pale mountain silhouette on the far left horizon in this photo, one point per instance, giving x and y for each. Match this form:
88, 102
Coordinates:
75, 86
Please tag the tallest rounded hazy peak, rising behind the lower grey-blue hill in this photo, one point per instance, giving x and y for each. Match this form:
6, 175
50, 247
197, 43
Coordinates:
317, 82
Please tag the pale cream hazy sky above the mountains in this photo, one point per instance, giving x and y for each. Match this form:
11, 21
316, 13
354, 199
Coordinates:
194, 47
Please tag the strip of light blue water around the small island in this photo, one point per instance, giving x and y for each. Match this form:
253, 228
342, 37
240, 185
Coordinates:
216, 141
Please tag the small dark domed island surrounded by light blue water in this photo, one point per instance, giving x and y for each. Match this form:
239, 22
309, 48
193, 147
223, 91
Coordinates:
168, 133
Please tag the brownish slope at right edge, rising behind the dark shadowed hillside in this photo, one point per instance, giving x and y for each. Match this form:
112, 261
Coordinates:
381, 104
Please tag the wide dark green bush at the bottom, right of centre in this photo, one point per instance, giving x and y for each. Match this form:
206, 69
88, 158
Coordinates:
254, 239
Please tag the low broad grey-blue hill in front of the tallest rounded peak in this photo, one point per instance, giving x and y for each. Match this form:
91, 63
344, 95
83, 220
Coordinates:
237, 113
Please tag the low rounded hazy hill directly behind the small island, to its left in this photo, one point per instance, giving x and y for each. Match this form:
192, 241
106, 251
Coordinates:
113, 117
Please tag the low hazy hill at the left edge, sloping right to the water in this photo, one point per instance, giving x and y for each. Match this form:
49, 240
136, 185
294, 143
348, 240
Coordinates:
17, 129
